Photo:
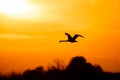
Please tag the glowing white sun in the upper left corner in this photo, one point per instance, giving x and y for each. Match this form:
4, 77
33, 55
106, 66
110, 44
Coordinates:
13, 7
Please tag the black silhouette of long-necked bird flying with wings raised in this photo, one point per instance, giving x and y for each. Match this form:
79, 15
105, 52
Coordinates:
70, 38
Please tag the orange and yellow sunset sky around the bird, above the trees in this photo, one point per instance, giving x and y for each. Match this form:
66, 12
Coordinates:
30, 31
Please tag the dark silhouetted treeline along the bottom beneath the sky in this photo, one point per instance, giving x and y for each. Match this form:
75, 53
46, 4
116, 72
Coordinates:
77, 69
